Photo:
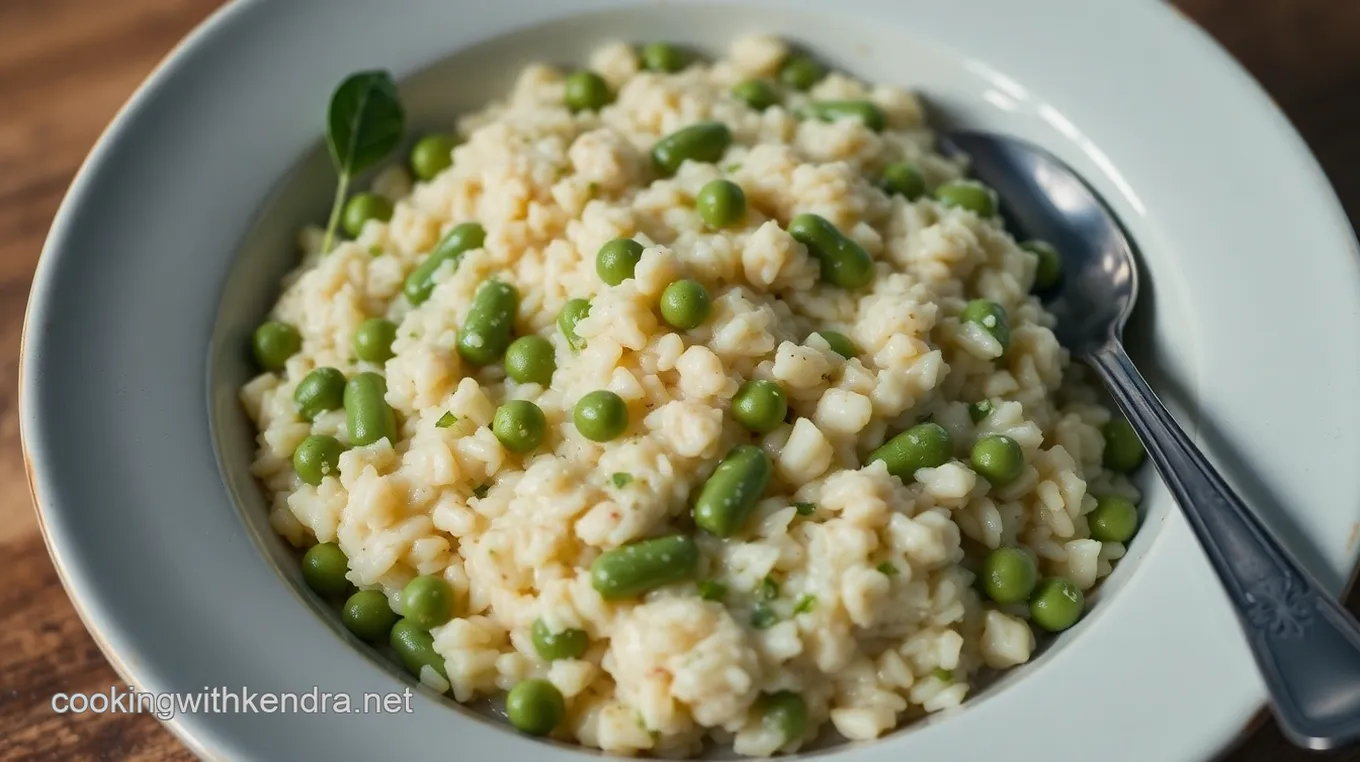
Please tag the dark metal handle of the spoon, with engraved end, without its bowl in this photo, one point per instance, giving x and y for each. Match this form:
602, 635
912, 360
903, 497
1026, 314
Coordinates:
1308, 647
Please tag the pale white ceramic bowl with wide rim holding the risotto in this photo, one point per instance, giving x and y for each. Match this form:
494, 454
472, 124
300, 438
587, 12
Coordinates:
172, 240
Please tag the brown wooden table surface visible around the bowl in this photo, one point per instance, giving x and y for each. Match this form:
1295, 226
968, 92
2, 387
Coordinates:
66, 67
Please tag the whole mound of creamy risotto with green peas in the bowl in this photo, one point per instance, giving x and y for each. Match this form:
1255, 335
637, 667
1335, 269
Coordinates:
689, 402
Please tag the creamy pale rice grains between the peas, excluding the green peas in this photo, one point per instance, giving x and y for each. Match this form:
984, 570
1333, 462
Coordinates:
670, 672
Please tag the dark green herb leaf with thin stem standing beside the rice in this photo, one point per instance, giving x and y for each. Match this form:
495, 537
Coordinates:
365, 123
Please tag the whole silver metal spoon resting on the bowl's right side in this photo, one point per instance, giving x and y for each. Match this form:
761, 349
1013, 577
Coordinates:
1306, 646
